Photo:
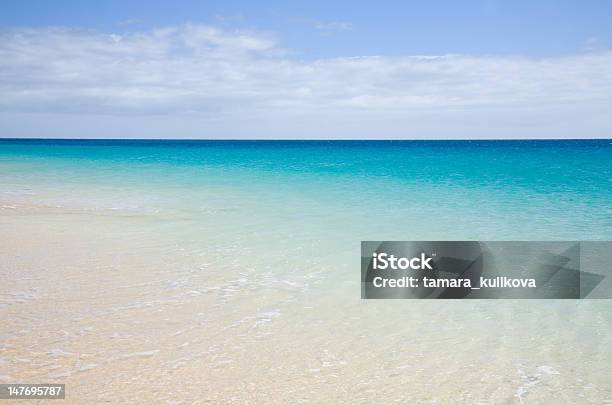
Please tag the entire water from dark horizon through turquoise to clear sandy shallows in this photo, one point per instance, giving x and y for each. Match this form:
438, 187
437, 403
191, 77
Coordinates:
239, 261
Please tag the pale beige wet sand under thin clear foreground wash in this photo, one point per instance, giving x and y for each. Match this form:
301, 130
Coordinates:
122, 314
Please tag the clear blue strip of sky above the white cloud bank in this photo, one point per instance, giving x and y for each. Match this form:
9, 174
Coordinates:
536, 28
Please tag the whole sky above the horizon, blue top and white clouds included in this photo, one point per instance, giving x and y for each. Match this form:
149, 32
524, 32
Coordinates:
317, 69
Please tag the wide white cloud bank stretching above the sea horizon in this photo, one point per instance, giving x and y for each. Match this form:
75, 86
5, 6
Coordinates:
216, 77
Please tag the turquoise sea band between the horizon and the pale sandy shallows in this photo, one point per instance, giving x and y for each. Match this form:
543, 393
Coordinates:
333, 192
